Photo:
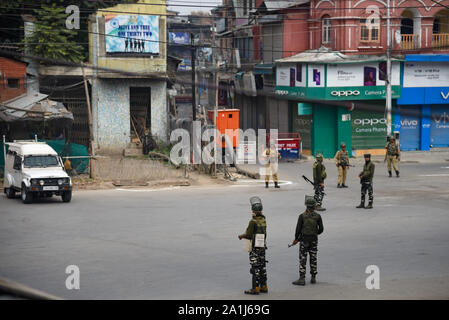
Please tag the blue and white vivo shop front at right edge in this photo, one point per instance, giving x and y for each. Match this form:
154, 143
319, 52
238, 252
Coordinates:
422, 114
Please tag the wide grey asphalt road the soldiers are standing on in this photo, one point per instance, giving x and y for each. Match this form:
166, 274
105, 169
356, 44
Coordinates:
181, 243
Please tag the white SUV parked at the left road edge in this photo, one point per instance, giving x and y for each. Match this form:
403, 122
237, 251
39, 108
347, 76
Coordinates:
34, 169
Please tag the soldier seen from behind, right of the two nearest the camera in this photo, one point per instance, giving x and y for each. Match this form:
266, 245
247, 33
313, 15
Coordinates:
309, 226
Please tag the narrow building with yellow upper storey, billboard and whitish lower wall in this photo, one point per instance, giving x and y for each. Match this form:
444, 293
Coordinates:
129, 84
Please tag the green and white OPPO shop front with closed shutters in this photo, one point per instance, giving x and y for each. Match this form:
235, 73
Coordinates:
337, 101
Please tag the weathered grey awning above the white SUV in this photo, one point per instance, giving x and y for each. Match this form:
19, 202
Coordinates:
33, 106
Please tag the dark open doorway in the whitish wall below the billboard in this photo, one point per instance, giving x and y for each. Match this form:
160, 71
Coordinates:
140, 111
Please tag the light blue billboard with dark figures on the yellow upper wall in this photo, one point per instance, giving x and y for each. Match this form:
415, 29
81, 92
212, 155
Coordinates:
132, 34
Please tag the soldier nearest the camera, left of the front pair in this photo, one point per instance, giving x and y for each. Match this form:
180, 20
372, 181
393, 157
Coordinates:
257, 233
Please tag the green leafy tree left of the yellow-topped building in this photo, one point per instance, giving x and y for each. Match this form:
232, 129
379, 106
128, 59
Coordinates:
51, 39
